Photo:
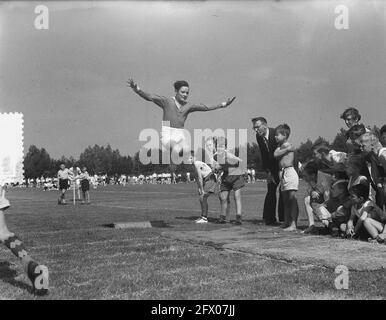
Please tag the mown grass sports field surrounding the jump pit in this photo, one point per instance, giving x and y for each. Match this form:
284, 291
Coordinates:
88, 260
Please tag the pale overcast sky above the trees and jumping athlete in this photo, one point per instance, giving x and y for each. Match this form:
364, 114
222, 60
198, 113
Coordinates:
284, 60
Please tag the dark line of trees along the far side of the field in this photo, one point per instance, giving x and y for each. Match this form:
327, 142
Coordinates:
105, 160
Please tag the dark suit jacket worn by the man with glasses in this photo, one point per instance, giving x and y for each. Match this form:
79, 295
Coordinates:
269, 161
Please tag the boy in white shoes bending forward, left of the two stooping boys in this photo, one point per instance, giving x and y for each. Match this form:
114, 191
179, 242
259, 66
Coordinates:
206, 183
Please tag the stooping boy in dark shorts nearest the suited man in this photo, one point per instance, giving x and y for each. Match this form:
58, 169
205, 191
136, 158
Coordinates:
232, 179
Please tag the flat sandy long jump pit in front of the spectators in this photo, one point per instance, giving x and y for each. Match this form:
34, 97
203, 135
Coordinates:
322, 251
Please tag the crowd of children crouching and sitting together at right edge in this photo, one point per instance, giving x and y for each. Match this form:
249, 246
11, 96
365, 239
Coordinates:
347, 190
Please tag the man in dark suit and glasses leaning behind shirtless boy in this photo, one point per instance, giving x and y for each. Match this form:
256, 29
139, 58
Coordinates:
265, 138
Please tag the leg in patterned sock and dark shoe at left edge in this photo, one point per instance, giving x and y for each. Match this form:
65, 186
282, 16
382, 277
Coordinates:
38, 274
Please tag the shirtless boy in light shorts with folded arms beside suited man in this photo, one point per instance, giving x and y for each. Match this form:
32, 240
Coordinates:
289, 178
